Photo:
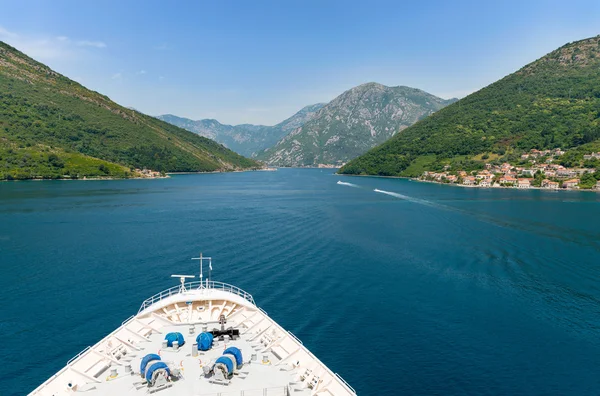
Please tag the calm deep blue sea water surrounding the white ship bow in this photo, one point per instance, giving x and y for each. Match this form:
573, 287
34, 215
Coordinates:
429, 290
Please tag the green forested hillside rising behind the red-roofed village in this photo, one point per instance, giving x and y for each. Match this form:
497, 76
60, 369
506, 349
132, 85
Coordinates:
552, 102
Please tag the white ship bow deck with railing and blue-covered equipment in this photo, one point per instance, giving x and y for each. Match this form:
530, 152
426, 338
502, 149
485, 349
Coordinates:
282, 365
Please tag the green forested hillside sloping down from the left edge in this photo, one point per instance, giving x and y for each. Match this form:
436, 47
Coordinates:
51, 126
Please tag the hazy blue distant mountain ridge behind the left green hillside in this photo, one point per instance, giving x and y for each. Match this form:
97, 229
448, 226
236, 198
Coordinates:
245, 139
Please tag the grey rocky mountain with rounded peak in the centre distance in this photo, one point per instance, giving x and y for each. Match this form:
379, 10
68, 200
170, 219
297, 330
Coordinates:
351, 124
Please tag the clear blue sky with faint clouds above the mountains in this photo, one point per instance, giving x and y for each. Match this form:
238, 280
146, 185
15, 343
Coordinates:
261, 61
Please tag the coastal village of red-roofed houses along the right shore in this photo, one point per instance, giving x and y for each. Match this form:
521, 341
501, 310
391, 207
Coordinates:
541, 170
